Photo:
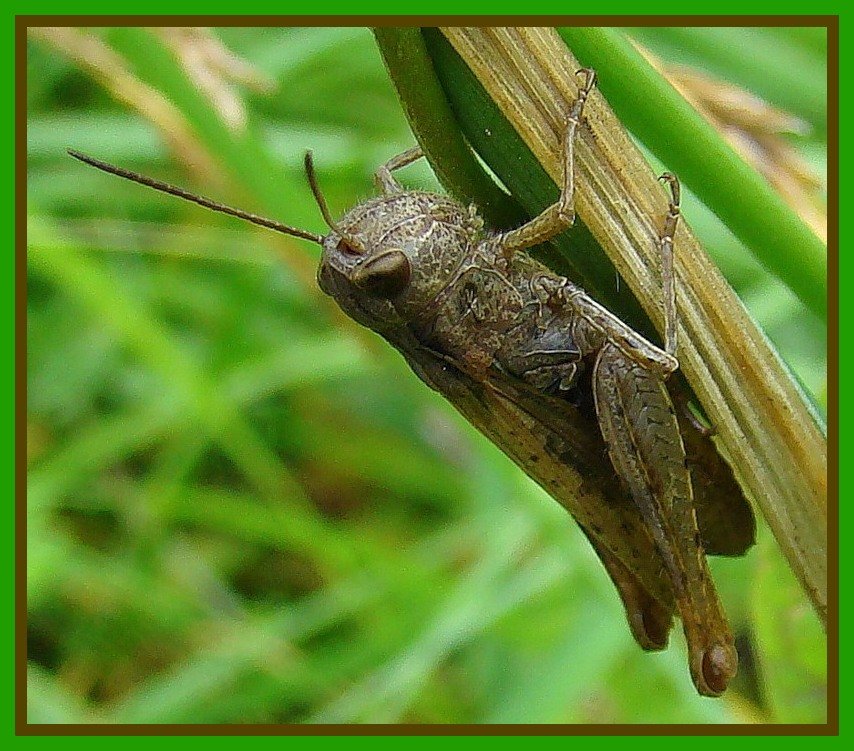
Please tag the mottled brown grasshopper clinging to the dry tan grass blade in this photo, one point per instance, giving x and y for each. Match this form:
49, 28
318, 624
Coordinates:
547, 373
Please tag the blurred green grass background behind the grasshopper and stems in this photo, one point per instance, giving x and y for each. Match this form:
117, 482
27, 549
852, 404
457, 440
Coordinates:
244, 508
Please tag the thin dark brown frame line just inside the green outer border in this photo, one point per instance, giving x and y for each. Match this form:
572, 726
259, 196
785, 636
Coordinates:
22, 22
